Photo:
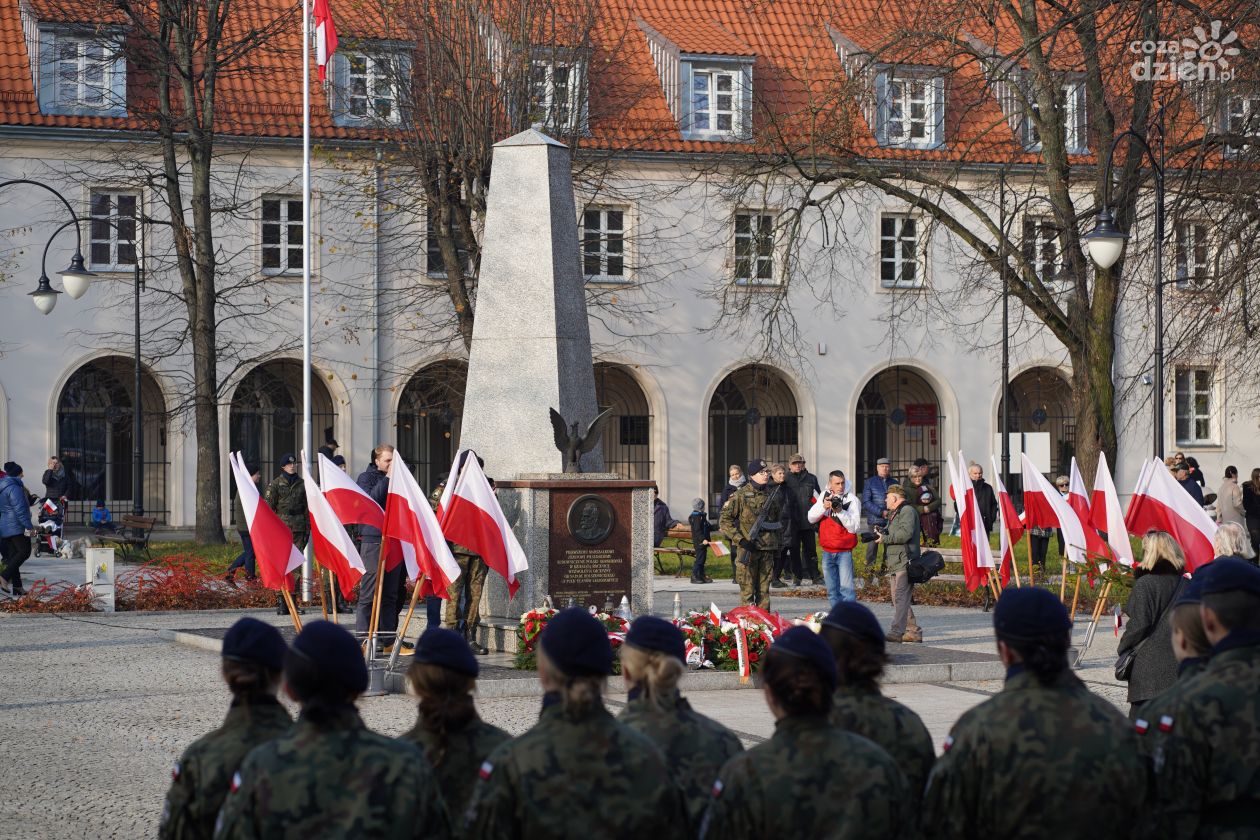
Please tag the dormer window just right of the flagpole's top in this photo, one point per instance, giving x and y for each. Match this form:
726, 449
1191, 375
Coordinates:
370, 85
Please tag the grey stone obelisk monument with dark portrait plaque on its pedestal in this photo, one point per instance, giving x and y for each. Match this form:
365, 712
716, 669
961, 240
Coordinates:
588, 536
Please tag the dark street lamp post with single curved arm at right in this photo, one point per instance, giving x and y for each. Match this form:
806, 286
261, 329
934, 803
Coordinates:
1106, 245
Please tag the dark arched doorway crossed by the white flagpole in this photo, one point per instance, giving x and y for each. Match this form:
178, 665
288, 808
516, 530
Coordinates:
266, 419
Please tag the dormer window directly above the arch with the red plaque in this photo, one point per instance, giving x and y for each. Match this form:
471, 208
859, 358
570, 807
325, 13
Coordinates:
910, 109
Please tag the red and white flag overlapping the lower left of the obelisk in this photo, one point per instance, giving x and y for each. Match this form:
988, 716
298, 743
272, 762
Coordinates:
473, 518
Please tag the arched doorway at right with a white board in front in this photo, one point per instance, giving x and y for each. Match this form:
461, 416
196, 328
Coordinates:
1041, 410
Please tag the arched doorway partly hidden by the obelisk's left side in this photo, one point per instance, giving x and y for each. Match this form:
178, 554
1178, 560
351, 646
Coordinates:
430, 414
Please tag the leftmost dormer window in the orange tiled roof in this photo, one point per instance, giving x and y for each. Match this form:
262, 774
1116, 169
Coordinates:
81, 74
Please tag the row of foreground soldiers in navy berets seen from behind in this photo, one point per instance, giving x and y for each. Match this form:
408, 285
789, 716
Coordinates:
1041, 759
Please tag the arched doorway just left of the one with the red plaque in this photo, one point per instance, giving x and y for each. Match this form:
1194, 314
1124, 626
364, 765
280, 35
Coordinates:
753, 415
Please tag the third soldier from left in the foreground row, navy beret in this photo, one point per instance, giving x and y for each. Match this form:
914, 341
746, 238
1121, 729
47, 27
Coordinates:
449, 731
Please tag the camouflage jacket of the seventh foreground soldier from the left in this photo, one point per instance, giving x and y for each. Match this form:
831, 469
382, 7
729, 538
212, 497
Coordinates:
899, 731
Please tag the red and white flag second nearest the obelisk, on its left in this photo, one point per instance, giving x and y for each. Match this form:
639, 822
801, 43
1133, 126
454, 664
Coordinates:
413, 527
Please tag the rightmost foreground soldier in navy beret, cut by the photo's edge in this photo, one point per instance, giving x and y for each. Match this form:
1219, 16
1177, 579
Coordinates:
1206, 775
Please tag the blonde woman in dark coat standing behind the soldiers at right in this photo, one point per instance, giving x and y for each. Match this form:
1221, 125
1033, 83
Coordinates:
1157, 582
